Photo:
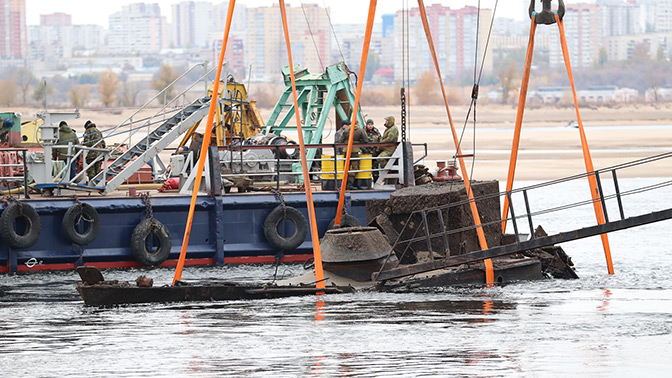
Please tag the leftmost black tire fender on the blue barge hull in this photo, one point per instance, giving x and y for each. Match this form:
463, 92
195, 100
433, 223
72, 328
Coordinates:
11, 213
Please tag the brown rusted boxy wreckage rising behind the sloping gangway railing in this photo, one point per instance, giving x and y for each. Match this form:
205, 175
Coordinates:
420, 223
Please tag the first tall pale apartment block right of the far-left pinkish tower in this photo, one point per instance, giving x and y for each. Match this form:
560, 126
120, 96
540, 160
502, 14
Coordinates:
137, 28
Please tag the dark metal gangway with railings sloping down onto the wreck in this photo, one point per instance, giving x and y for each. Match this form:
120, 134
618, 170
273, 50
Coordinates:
430, 227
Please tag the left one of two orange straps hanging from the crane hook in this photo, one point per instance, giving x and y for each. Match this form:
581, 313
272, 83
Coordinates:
519, 122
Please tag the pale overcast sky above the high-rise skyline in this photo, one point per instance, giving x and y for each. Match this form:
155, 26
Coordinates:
343, 11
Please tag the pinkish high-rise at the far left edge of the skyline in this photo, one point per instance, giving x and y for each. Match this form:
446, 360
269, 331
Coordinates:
13, 31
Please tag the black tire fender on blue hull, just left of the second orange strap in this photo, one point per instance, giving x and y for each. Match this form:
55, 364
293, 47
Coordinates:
274, 238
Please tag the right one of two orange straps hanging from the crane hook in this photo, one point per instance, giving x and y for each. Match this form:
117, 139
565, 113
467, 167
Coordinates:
586, 151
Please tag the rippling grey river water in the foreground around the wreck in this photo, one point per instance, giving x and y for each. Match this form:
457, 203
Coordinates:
598, 325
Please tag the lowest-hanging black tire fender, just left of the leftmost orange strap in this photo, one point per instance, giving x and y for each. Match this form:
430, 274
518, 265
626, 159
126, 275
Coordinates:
147, 228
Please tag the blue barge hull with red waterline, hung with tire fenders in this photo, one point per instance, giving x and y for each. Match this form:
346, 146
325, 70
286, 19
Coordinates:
227, 229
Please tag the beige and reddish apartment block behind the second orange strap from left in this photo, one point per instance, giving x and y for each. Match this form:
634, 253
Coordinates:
310, 37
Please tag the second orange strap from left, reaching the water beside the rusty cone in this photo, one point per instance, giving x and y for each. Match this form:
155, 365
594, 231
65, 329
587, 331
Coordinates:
317, 254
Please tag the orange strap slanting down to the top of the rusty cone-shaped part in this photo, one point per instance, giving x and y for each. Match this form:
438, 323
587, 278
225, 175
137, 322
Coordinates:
360, 81
